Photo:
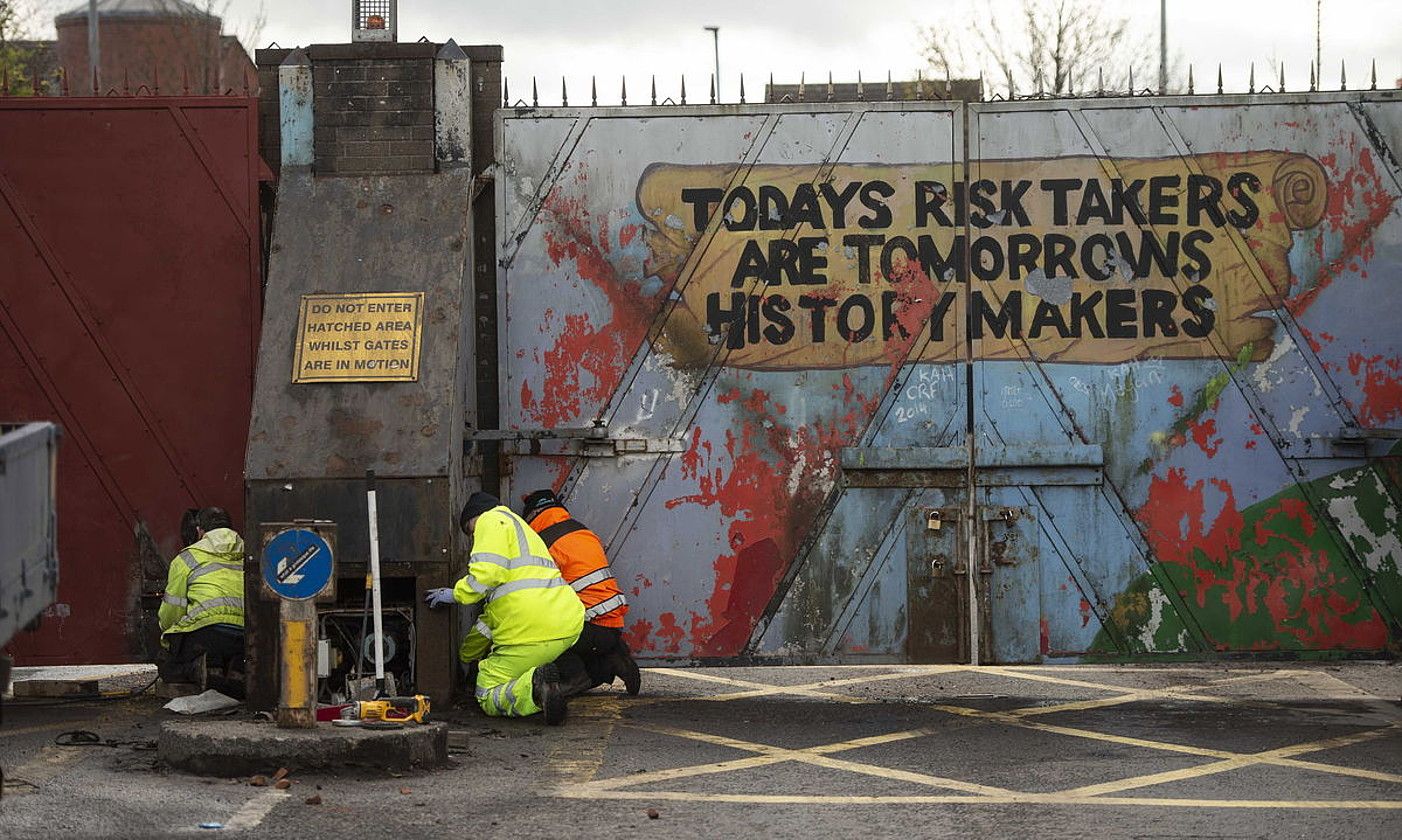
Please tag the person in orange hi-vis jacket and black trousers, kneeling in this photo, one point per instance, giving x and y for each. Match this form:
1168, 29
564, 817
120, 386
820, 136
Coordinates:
585, 567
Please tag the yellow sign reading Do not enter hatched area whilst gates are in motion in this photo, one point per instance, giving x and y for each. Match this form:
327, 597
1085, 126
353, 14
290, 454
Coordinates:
371, 337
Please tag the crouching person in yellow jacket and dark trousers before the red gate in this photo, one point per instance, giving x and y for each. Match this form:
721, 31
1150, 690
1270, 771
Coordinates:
203, 611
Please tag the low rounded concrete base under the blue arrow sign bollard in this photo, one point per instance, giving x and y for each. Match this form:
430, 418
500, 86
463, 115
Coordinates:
238, 748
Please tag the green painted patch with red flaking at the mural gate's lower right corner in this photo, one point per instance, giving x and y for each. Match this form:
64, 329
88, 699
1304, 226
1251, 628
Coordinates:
1278, 577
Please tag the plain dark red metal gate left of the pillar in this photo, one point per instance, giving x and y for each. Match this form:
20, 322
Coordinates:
130, 312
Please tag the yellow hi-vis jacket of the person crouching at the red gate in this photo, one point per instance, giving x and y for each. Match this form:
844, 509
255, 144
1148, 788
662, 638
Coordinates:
205, 584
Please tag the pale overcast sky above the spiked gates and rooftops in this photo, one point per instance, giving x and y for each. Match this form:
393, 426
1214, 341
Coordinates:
611, 39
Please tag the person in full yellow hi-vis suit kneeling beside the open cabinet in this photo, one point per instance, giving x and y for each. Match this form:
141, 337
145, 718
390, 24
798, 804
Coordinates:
531, 615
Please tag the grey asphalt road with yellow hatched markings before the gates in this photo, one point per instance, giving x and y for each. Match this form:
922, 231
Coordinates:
1248, 751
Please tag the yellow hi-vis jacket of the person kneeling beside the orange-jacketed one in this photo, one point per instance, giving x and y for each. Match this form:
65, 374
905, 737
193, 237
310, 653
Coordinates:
526, 601
